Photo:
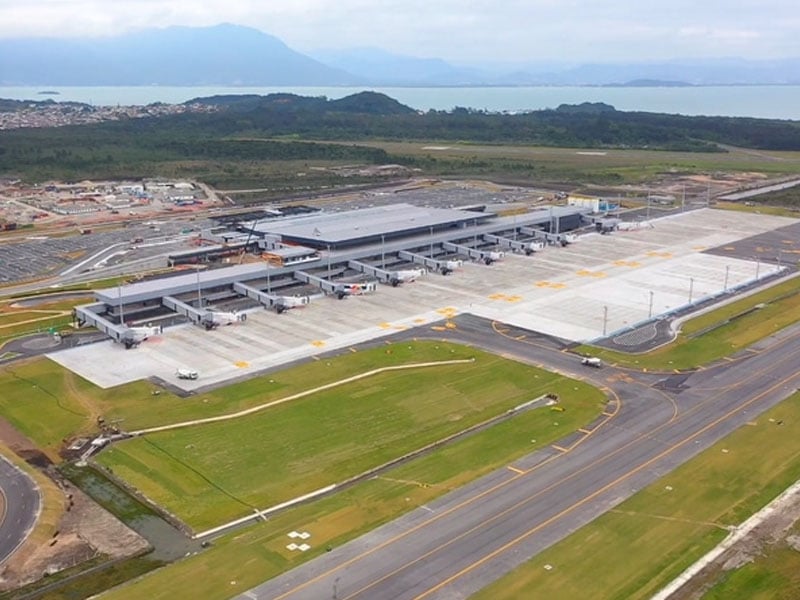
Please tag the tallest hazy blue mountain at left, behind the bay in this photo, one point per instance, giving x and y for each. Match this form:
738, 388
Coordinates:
220, 55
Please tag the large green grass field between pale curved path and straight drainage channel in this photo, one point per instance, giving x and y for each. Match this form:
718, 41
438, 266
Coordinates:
212, 473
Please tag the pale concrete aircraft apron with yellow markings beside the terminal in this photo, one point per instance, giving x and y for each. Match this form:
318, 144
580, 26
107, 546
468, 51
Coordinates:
601, 283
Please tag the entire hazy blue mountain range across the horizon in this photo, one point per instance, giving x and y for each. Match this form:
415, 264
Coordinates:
233, 55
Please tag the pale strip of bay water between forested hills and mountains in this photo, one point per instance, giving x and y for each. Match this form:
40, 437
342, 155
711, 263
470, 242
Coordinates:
777, 102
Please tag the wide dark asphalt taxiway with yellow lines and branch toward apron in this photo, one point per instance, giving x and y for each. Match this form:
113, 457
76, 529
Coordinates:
458, 544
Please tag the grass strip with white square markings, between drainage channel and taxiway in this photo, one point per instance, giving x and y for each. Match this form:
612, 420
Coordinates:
251, 555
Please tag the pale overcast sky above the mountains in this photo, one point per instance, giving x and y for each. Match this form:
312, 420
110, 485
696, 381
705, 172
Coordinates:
457, 30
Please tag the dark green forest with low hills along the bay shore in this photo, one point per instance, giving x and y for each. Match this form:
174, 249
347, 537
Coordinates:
260, 139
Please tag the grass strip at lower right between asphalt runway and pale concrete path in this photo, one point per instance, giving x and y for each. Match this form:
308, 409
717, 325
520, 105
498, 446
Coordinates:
641, 545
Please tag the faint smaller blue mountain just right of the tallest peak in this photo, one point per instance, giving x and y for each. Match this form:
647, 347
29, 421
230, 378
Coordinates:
384, 68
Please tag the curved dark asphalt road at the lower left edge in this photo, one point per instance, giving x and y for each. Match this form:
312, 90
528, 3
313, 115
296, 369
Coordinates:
19, 509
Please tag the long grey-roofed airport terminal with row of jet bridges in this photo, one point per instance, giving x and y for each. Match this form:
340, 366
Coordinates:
308, 256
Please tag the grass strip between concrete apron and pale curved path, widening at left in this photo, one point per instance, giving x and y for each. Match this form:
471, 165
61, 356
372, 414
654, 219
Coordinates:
49, 403
